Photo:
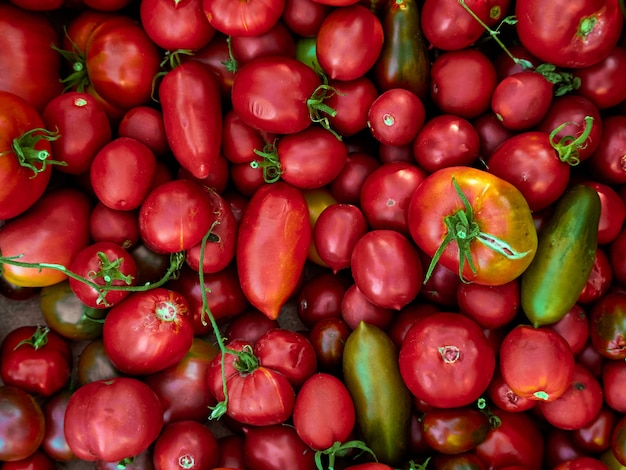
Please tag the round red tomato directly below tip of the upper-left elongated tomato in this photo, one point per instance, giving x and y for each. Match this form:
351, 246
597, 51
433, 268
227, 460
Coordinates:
175, 216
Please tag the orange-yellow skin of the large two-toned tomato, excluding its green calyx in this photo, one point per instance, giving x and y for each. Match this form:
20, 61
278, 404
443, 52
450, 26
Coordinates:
501, 212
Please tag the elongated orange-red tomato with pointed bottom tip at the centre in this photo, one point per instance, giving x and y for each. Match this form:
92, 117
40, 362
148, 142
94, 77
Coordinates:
272, 245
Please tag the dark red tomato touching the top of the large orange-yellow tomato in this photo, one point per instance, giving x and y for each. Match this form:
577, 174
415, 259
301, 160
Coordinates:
446, 140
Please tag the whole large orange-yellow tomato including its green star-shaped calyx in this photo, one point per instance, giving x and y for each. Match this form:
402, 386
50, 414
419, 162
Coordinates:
487, 217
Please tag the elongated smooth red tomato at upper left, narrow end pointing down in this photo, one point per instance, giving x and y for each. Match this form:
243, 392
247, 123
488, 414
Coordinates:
191, 103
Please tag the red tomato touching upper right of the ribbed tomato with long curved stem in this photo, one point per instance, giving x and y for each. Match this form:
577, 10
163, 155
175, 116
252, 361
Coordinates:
288, 352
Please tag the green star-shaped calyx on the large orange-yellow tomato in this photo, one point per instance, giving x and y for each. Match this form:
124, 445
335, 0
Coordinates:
463, 229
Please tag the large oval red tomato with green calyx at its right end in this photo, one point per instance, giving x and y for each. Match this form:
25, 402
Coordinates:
277, 94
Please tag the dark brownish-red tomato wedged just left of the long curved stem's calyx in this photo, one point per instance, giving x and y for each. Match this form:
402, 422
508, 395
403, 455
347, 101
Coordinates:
182, 387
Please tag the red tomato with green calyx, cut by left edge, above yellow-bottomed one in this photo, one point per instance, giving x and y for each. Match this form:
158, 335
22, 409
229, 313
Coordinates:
25, 155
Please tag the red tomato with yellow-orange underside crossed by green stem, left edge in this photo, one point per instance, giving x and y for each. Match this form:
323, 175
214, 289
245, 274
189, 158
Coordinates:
61, 218
